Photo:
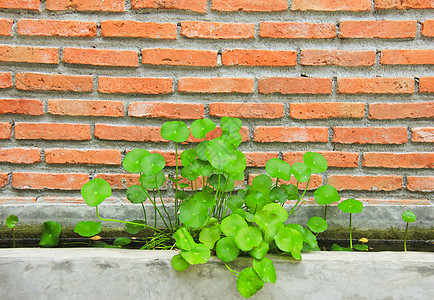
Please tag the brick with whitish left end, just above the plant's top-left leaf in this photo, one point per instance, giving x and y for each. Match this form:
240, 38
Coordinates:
166, 110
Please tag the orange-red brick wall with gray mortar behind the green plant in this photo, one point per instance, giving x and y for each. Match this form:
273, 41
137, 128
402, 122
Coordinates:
84, 81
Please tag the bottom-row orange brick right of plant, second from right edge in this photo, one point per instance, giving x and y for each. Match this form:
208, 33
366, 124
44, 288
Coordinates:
365, 183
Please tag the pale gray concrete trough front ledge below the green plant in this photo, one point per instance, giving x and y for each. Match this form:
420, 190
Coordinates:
131, 274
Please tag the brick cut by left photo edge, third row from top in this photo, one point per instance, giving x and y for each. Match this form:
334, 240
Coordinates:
25, 54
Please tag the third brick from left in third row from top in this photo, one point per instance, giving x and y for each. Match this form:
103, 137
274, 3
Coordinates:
179, 57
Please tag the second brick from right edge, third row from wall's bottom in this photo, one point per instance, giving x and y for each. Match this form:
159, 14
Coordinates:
370, 135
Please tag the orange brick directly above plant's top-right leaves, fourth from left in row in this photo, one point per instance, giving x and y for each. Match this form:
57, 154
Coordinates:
246, 110
